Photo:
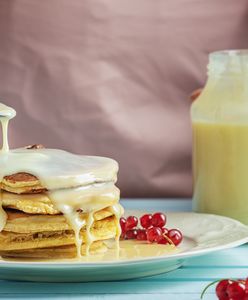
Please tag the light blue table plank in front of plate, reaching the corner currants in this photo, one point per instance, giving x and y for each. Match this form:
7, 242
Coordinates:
109, 288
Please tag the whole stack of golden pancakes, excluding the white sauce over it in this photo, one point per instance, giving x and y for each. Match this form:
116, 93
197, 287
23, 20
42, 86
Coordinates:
35, 228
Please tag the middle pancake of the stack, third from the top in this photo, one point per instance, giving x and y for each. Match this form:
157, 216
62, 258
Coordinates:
19, 222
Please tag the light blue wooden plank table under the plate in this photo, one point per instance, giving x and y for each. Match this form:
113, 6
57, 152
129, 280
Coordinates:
185, 283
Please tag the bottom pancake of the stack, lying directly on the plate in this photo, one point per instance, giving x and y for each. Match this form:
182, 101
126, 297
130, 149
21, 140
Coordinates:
54, 252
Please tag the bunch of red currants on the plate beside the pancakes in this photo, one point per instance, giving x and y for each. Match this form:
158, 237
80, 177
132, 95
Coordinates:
153, 229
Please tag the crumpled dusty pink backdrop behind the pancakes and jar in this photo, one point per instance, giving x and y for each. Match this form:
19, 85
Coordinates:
112, 77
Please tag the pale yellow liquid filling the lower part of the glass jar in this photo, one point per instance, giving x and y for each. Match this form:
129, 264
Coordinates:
220, 162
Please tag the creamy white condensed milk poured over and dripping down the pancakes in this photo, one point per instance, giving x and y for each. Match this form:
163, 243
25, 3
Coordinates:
73, 181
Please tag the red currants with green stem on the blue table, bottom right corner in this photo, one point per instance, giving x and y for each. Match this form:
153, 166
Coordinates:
228, 289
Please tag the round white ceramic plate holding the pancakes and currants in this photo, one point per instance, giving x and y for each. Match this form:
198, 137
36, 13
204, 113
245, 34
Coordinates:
202, 234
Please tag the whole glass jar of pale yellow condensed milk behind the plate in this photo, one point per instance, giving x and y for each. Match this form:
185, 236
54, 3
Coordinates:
220, 137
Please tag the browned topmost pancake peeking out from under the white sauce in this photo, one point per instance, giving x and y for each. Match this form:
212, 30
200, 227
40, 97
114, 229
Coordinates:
20, 183
